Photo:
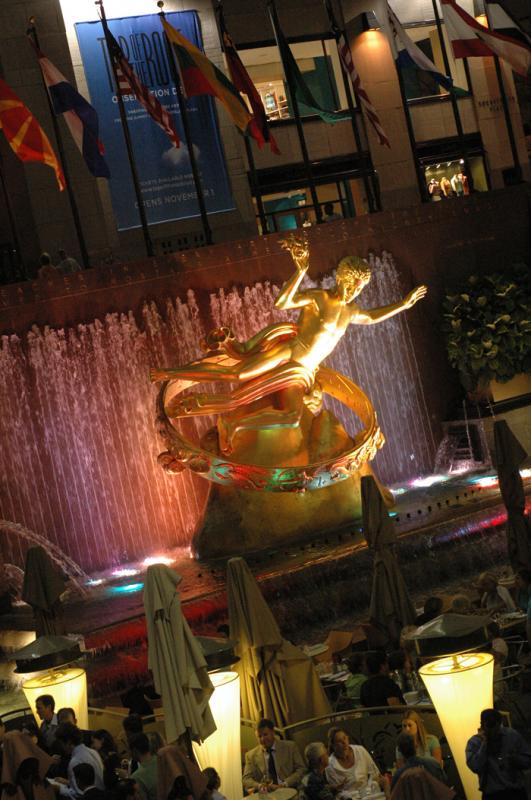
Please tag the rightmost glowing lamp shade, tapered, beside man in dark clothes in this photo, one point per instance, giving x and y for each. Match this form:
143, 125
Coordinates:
461, 687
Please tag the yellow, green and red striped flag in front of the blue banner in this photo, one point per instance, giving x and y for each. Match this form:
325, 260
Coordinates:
200, 76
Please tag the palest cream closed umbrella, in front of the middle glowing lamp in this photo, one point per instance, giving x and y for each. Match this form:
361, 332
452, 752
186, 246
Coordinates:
176, 659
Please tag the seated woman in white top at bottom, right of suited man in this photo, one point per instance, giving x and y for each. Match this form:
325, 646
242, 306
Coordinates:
350, 766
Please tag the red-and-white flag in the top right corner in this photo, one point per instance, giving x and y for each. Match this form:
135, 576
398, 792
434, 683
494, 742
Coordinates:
470, 39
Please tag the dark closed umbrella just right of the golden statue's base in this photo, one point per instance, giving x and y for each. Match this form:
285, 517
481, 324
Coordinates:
391, 607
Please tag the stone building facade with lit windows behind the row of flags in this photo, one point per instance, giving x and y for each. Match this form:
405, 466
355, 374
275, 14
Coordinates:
451, 148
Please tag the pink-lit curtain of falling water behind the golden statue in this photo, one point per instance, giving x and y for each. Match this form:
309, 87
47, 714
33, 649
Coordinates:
79, 446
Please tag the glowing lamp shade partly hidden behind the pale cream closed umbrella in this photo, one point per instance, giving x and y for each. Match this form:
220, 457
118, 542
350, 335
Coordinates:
222, 749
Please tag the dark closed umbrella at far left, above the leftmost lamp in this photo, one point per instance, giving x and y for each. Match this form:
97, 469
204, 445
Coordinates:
43, 586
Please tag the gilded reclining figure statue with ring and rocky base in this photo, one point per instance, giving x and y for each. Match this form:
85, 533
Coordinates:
273, 433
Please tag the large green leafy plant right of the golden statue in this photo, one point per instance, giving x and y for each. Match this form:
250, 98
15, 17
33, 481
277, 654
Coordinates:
488, 327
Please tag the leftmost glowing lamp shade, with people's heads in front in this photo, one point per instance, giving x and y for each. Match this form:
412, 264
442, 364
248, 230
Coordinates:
68, 688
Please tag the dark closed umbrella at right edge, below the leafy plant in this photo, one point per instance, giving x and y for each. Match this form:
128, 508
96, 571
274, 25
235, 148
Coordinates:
509, 455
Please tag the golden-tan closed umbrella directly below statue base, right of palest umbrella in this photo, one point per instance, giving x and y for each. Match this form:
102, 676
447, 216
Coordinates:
277, 680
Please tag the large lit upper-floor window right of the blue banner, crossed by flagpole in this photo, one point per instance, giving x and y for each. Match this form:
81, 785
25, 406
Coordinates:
319, 64
